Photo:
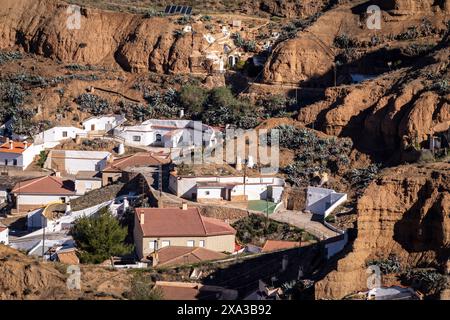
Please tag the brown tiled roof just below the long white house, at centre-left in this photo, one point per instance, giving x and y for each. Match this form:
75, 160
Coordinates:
139, 159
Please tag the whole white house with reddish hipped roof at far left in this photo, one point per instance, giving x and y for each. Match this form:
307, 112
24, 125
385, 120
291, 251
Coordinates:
39, 192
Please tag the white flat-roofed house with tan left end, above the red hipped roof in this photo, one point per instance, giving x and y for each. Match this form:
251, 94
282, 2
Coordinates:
74, 161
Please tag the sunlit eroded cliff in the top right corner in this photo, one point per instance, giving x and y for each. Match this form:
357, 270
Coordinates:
308, 59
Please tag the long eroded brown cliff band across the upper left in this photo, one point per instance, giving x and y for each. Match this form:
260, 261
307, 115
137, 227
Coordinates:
105, 37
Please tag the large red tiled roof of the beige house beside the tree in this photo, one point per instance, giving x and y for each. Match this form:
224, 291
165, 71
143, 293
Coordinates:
174, 222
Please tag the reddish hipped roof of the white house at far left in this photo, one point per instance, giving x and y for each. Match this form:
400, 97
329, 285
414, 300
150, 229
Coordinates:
45, 185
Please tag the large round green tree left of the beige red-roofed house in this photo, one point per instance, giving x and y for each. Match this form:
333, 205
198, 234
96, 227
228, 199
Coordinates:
99, 237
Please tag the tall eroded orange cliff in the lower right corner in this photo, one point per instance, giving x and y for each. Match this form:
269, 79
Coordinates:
405, 212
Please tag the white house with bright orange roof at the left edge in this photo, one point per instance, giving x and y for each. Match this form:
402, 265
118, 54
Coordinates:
16, 154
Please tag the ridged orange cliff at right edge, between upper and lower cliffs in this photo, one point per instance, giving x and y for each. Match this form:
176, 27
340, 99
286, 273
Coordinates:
390, 113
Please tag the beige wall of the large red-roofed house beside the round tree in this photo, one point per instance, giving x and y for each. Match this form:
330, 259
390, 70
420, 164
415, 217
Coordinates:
223, 243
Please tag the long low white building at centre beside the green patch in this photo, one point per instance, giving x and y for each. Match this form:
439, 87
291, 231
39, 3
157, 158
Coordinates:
230, 188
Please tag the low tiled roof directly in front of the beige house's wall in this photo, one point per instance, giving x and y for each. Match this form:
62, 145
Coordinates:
174, 255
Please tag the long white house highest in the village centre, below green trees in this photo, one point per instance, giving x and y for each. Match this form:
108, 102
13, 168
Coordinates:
168, 134
